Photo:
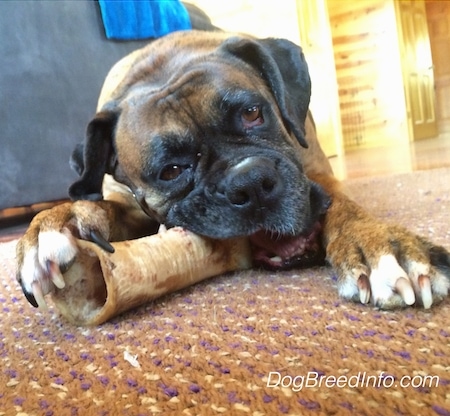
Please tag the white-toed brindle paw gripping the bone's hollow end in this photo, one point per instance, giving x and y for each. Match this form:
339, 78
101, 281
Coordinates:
48, 247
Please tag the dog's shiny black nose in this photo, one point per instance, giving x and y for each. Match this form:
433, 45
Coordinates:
252, 183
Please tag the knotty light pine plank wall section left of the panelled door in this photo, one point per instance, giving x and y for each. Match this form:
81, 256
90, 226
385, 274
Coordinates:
368, 66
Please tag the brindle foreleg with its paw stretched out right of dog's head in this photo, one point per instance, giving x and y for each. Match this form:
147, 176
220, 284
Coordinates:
375, 261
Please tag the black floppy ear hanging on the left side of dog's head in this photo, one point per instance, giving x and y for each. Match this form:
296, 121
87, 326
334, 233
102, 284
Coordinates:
94, 158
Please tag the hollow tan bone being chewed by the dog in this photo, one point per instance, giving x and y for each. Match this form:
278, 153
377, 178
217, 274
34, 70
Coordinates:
101, 285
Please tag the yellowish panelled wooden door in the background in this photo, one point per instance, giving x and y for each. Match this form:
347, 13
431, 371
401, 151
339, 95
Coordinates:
417, 68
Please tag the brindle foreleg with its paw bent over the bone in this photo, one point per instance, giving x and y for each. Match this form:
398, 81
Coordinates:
48, 247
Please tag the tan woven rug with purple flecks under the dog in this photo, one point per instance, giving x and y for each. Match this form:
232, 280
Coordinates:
253, 343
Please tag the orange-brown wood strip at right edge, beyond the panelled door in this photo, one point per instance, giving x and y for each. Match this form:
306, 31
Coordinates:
438, 16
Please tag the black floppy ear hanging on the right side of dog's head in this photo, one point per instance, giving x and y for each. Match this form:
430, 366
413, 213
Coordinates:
283, 66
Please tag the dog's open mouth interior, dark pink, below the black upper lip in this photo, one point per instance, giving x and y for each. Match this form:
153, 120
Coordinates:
282, 252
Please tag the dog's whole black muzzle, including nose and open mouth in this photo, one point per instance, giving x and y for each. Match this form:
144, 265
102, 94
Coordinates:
260, 198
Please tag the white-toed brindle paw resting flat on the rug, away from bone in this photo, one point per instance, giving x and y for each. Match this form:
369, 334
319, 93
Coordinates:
387, 265
